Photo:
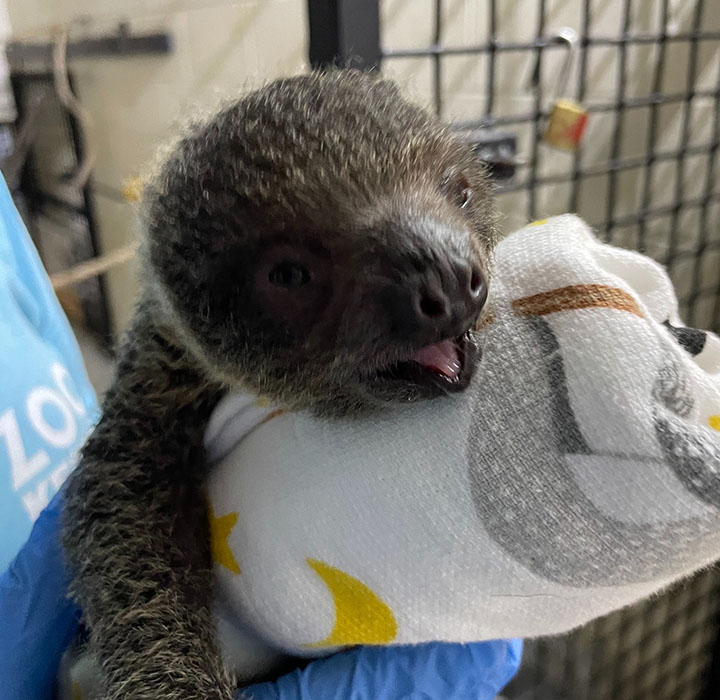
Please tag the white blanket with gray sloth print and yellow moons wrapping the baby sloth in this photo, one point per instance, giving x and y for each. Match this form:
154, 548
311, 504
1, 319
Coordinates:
579, 473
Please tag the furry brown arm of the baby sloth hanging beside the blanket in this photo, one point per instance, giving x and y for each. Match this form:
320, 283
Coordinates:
135, 526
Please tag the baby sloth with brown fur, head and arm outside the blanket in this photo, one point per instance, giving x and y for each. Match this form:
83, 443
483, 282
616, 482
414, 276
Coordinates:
321, 242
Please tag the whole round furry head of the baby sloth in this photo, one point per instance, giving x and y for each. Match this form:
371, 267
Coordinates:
324, 242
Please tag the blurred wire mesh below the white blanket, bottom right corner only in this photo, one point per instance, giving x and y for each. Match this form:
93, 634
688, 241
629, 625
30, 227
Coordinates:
662, 649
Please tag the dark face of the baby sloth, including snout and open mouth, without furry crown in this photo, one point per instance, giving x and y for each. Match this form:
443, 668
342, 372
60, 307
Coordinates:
379, 310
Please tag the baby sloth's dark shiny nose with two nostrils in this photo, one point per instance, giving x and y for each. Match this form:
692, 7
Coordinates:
439, 302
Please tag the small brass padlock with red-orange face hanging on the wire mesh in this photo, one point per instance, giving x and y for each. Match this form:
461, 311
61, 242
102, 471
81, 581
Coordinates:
568, 119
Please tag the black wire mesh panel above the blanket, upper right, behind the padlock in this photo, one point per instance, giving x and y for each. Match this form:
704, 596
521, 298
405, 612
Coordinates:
647, 72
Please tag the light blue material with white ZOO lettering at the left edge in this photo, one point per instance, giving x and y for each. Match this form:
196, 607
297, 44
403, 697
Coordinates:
47, 404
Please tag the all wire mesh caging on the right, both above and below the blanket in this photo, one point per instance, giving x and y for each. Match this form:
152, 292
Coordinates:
646, 176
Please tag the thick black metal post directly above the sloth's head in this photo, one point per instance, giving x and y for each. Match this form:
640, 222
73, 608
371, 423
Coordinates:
344, 33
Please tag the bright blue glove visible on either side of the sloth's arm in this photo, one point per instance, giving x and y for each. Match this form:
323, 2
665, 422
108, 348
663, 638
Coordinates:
38, 621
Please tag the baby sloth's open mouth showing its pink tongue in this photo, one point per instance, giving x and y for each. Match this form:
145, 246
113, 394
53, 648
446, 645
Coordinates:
447, 365
